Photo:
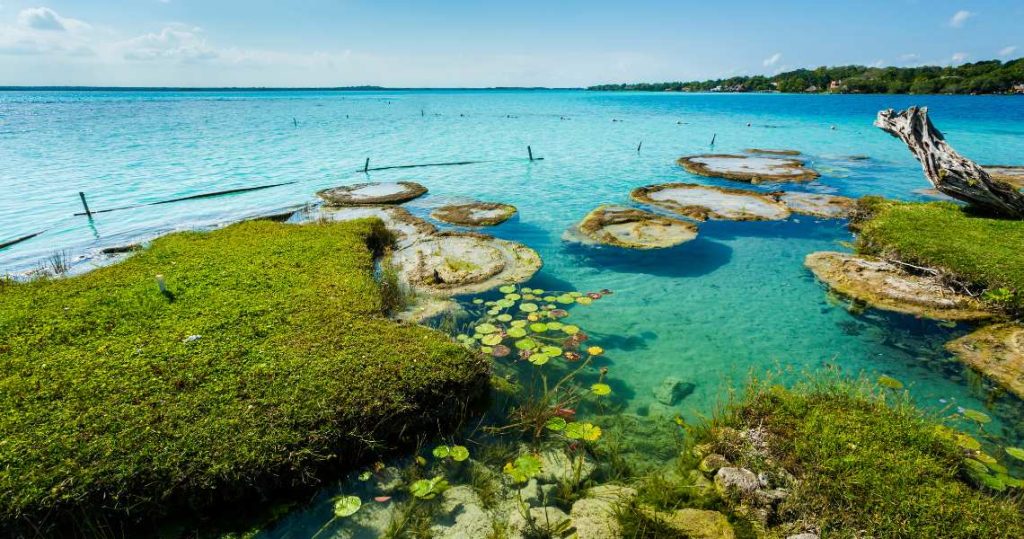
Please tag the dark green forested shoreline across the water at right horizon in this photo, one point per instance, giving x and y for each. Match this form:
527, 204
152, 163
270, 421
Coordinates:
983, 77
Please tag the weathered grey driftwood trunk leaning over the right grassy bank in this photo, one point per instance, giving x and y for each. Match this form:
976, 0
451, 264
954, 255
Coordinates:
949, 172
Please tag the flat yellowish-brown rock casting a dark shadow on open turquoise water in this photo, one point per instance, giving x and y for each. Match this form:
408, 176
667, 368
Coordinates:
633, 229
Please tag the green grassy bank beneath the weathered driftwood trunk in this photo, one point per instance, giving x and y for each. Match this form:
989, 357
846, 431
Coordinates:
982, 252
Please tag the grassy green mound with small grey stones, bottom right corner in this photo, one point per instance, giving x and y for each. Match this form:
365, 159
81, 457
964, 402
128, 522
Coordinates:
867, 467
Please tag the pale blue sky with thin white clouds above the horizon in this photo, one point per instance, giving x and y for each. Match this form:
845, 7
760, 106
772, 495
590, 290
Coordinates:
466, 44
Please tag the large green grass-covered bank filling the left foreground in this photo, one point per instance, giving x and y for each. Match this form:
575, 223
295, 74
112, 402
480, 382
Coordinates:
268, 359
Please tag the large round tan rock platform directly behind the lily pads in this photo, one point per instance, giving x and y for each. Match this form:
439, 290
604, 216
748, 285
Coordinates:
452, 264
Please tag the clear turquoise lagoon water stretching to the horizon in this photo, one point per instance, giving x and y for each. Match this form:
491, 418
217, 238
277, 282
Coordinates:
738, 301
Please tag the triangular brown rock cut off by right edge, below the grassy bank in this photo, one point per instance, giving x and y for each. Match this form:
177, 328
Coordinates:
997, 352
